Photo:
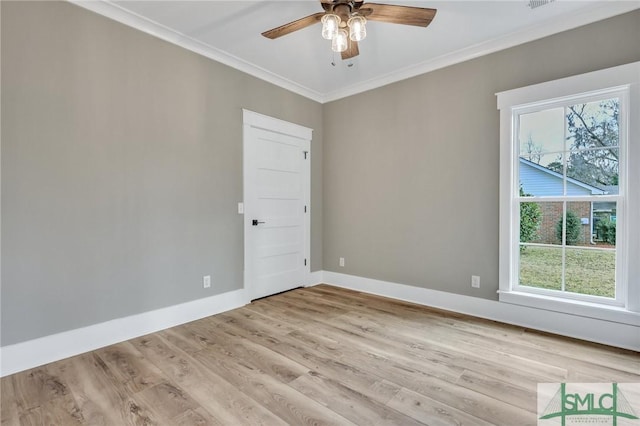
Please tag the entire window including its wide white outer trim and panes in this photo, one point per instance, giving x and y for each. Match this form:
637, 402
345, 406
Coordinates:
569, 200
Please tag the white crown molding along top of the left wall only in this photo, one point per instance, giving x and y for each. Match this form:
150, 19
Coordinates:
113, 11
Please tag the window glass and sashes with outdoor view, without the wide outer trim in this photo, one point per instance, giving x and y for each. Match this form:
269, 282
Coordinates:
568, 164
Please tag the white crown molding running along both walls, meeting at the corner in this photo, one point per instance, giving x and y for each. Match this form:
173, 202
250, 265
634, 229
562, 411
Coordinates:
598, 12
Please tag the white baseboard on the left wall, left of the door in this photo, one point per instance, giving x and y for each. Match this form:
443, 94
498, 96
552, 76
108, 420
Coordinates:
33, 353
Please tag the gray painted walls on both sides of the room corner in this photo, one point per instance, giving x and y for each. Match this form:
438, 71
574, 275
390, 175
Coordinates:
122, 167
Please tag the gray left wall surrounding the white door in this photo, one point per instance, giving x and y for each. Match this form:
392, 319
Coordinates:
121, 170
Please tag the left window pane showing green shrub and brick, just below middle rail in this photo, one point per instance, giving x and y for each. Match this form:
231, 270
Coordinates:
539, 222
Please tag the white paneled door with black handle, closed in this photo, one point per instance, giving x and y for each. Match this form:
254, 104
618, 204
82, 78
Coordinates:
276, 204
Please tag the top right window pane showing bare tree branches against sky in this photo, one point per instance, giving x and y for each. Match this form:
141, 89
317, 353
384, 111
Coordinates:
593, 124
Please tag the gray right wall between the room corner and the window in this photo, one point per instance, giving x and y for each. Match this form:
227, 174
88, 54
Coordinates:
411, 170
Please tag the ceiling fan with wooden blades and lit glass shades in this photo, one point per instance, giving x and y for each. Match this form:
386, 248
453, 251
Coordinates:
343, 22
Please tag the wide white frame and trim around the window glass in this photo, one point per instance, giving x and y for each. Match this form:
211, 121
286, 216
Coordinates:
624, 82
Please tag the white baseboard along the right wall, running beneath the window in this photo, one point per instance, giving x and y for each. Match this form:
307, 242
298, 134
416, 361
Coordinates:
591, 329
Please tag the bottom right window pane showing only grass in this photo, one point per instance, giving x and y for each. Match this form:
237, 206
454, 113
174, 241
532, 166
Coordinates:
590, 271
